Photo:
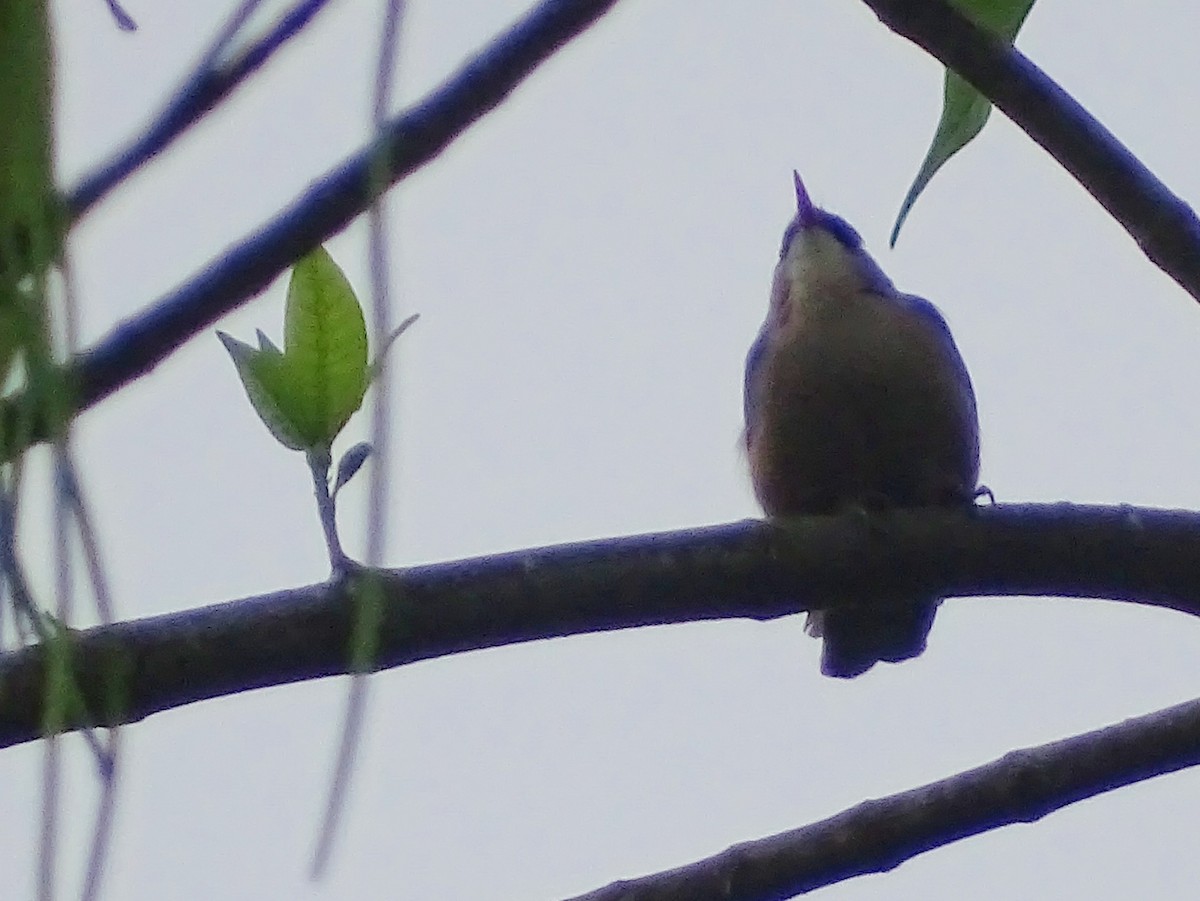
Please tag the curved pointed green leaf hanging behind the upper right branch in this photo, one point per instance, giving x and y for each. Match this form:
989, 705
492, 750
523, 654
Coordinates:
964, 110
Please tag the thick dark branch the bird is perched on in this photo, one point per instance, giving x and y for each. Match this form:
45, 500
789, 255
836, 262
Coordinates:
749, 570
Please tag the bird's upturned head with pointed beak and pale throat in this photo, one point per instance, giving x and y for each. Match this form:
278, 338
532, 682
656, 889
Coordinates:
823, 257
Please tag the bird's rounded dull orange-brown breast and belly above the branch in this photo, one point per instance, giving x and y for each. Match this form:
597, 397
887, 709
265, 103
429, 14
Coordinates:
862, 405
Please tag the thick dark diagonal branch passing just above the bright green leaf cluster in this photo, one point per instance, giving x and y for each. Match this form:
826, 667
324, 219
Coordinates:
406, 145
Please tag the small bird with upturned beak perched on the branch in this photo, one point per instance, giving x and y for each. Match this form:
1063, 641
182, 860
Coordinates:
856, 398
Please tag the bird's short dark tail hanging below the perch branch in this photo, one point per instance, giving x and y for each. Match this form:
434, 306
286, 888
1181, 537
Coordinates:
860, 636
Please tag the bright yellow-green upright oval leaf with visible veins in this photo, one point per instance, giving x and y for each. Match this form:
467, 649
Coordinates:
326, 349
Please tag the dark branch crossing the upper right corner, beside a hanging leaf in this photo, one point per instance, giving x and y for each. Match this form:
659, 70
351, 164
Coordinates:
1163, 225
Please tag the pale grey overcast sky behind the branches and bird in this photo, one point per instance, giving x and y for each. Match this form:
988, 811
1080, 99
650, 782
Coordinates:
591, 263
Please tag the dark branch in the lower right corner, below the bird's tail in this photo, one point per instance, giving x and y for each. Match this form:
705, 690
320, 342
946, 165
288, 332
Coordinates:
879, 836
